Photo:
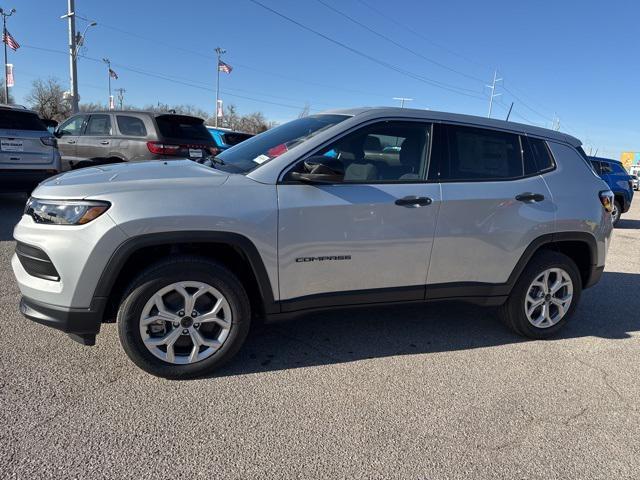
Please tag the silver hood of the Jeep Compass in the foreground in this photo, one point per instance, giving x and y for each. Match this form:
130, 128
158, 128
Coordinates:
120, 177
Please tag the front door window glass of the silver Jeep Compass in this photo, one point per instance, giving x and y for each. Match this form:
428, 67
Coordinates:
382, 152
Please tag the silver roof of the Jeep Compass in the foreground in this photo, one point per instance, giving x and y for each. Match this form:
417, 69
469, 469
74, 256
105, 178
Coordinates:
459, 118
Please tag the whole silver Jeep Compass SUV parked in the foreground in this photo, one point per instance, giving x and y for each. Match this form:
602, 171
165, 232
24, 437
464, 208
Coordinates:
350, 207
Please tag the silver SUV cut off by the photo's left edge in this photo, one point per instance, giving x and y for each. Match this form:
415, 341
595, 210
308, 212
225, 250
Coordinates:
28, 152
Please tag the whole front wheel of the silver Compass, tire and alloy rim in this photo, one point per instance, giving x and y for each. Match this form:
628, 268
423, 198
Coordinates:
183, 318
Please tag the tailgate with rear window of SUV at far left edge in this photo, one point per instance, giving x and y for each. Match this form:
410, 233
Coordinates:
20, 139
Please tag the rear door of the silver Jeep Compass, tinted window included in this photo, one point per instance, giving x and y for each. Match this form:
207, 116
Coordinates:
494, 204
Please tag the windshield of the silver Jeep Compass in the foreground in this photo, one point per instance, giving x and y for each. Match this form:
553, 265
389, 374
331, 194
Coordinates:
262, 148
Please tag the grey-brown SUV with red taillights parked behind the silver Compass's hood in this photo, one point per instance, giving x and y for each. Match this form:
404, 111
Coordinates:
127, 136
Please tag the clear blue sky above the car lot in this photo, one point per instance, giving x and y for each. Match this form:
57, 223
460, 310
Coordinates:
576, 59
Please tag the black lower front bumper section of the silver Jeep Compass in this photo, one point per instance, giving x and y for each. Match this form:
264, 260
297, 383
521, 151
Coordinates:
82, 324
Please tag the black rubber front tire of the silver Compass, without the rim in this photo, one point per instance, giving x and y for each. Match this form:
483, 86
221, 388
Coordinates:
166, 272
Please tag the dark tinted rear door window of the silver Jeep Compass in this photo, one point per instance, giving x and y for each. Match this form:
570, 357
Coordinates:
481, 154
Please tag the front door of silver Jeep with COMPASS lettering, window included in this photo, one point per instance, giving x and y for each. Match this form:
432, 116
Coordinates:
367, 239
